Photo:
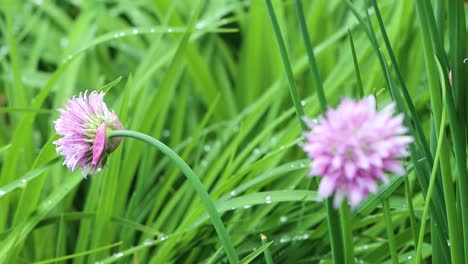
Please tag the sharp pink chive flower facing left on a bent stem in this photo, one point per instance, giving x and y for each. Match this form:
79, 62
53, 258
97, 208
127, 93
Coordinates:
83, 125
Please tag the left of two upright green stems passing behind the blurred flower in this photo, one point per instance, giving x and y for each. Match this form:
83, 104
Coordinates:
333, 220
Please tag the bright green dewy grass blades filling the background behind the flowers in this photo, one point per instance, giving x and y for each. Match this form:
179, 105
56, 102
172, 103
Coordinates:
207, 79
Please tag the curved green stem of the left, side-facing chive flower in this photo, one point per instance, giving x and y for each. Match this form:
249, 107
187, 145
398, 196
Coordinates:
194, 181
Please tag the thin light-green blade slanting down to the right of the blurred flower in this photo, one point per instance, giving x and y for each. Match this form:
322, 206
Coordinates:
430, 189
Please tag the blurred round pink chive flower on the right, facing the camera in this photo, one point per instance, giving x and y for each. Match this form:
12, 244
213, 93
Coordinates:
353, 147
